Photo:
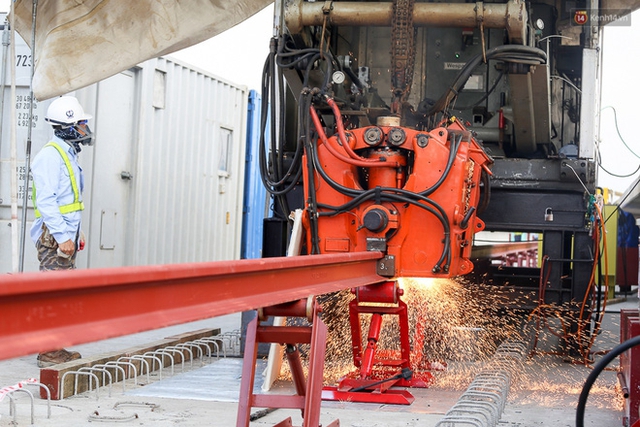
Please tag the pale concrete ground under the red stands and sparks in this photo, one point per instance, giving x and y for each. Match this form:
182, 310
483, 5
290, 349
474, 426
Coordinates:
544, 391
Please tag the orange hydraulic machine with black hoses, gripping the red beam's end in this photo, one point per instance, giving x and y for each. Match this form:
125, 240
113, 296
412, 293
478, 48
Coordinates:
411, 194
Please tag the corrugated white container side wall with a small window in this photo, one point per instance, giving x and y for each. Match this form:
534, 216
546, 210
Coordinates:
190, 168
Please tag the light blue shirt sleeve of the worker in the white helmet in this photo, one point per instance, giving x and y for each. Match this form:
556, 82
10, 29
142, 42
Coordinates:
47, 173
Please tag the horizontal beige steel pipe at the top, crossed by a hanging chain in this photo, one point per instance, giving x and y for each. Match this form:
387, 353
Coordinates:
511, 16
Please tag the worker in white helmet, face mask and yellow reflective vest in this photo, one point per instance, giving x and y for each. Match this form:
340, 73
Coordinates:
57, 197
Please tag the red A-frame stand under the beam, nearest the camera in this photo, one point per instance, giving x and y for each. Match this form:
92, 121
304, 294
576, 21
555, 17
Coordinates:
308, 391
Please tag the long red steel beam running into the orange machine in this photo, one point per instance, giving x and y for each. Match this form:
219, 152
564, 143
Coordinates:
44, 311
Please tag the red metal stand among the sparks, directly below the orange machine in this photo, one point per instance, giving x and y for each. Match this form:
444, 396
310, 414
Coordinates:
379, 370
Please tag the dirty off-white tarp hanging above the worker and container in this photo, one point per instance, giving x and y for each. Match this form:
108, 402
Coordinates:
80, 42
